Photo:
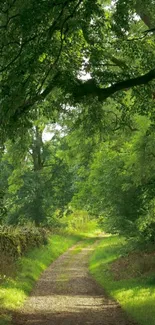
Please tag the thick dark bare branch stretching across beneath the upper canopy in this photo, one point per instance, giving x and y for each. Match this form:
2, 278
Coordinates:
86, 89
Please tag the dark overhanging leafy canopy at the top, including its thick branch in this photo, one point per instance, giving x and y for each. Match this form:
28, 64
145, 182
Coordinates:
47, 46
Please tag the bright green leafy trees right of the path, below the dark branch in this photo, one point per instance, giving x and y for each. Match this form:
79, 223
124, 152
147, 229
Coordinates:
117, 181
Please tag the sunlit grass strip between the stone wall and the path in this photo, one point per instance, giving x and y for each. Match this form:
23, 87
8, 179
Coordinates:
15, 289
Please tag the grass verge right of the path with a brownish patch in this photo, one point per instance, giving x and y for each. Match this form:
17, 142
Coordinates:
128, 278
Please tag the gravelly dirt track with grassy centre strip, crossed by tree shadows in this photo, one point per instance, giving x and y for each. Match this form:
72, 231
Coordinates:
66, 294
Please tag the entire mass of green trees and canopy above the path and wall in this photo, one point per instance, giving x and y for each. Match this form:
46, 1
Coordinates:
77, 113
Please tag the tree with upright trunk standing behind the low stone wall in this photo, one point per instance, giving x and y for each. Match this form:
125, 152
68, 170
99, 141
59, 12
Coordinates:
35, 180
